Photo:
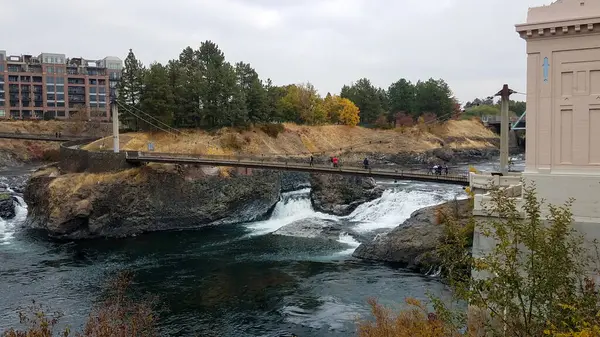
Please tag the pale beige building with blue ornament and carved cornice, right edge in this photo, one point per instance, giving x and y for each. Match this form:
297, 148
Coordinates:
563, 103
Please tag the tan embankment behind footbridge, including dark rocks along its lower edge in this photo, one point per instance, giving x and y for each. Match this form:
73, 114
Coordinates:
451, 141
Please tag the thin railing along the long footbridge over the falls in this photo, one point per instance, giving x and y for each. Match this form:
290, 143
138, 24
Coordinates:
278, 161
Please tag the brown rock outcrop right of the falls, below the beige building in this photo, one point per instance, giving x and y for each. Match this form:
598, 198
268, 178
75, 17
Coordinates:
413, 244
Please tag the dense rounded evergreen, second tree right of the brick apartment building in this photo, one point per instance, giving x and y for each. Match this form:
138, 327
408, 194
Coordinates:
157, 98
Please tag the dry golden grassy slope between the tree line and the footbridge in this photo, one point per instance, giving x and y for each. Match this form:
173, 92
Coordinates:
301, 140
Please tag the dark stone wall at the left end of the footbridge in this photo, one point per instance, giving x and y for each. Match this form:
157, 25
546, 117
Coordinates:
73, 159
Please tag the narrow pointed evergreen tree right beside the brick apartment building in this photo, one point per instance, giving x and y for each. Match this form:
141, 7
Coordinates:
130, 87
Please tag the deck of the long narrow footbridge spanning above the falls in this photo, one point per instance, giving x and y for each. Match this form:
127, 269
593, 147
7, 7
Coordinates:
143, 157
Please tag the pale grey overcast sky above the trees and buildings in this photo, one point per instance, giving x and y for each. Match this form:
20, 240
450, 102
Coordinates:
472, 44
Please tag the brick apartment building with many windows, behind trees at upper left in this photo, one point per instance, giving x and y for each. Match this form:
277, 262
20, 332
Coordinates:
54, 86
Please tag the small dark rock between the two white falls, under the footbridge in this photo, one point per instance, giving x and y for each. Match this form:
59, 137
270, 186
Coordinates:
340, 195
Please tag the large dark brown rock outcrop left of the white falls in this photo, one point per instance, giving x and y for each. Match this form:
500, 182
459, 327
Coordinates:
78, 206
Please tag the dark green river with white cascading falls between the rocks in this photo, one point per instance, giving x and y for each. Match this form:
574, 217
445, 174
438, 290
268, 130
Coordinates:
239, 280
